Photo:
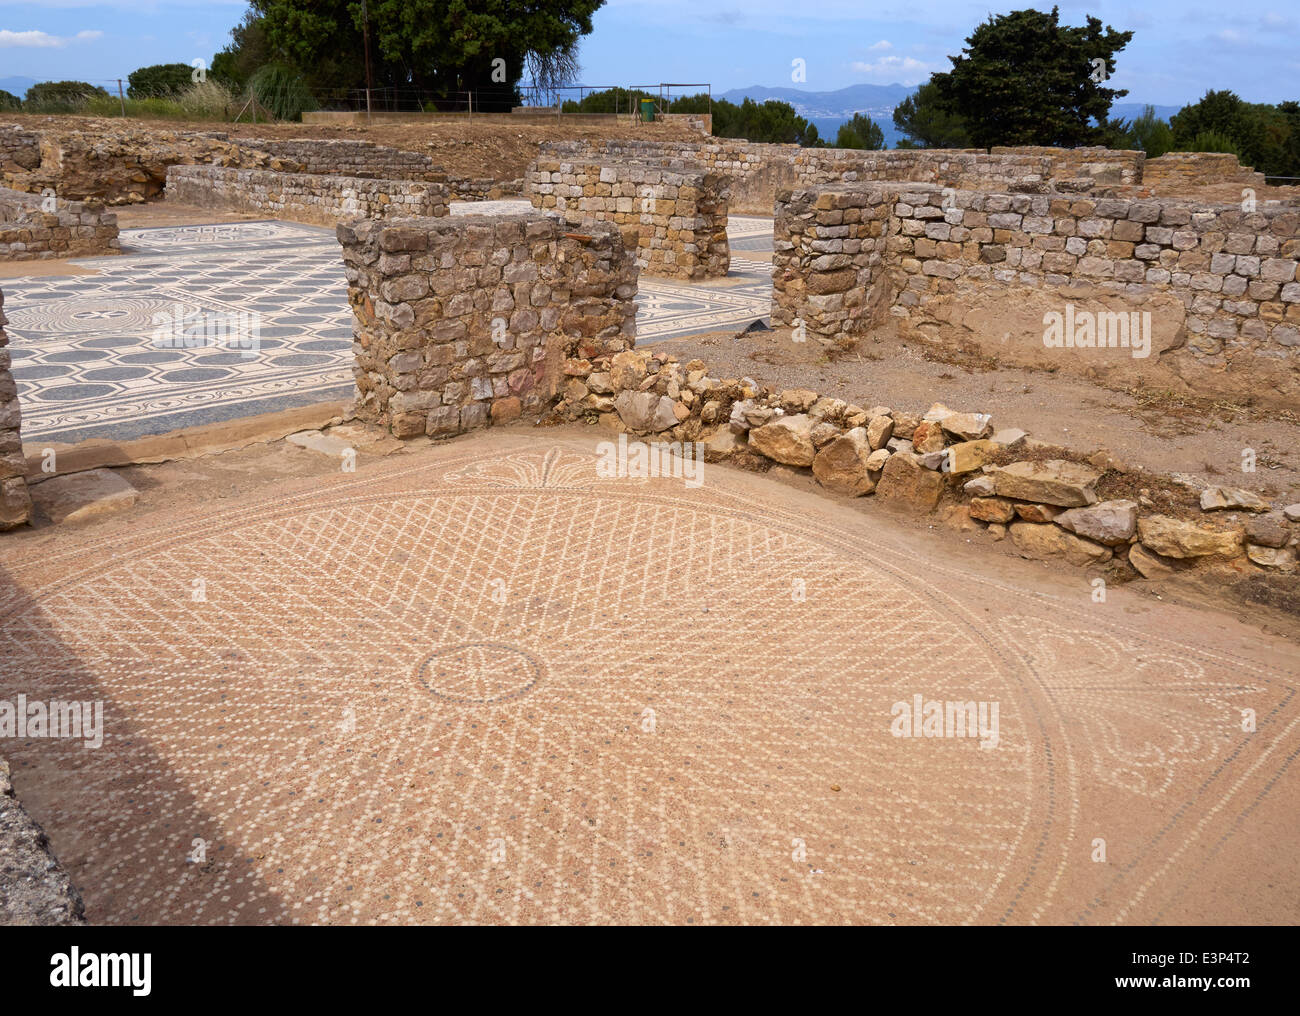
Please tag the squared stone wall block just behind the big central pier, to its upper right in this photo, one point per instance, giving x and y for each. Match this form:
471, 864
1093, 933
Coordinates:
678, 220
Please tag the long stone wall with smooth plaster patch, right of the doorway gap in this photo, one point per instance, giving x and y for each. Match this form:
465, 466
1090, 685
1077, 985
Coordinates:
1008, 276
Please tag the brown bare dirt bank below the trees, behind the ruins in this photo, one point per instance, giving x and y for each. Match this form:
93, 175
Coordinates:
500, 151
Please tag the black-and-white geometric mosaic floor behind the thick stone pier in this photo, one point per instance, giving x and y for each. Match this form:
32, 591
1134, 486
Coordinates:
86, 362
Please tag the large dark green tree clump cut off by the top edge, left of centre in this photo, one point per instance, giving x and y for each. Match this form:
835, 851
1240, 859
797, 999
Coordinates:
445, 47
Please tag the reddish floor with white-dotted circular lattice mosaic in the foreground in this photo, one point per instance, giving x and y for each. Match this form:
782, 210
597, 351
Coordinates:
453, 689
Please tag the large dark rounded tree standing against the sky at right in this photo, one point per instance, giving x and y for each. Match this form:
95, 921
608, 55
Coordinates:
1025, 79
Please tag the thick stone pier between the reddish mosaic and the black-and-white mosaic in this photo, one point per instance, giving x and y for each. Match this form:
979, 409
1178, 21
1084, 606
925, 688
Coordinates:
466, 320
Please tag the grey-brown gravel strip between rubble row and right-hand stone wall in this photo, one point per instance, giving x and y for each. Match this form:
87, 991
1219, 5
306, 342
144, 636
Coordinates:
1154, 431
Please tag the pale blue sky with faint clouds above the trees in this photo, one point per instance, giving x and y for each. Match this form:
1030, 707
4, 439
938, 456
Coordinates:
1180, 49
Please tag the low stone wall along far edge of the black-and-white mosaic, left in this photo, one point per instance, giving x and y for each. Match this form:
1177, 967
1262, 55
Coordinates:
304, 197
